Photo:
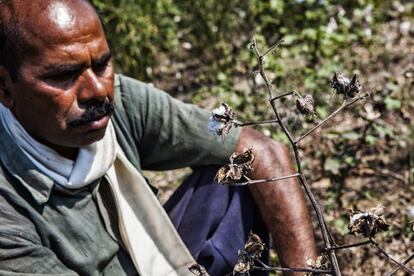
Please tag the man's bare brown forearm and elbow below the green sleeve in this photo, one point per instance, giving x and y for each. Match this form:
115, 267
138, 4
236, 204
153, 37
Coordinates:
281, 203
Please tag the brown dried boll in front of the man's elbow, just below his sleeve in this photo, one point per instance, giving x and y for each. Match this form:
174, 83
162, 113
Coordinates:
240, 165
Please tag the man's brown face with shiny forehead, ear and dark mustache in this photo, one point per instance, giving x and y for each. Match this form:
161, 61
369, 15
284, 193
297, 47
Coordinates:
64, 93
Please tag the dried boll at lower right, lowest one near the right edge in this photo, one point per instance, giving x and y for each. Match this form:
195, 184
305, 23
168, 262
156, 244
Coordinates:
369, 223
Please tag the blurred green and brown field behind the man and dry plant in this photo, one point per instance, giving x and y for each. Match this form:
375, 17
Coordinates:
198, 51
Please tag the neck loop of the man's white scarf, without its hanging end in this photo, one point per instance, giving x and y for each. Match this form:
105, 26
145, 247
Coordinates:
92, 162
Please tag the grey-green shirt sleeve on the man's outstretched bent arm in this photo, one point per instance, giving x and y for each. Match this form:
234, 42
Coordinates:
170, 134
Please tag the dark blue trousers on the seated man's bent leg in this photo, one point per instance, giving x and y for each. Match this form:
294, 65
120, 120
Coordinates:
215, 220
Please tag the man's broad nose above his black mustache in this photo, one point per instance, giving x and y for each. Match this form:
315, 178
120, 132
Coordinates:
92, 88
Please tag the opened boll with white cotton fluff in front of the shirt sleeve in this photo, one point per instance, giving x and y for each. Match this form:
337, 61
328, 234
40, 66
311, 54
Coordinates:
221, 120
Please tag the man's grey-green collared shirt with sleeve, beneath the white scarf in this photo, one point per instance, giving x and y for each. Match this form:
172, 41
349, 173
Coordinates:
46, 229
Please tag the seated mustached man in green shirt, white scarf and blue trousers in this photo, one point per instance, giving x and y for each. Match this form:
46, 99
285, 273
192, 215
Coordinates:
72, 199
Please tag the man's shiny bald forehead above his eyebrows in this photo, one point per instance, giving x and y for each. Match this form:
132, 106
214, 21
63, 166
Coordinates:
62, 27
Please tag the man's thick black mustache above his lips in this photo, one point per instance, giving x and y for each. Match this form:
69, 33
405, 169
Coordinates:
93, 112
